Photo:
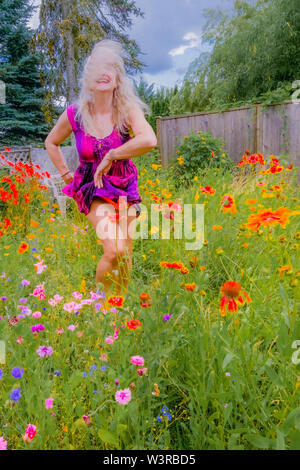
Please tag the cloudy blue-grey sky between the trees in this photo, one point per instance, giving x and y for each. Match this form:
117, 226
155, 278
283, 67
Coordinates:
169, 36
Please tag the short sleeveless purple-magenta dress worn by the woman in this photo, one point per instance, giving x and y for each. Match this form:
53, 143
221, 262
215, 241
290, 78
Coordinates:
121, 180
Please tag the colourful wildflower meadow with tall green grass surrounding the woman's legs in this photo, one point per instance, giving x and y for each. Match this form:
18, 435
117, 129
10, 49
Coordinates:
201, 352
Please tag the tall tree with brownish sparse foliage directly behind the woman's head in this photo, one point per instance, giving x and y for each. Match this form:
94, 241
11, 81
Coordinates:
67, 32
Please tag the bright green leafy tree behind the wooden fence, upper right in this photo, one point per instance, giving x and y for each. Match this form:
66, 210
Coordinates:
255, 50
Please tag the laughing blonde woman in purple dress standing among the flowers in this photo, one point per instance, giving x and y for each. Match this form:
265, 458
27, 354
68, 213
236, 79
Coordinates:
107, 112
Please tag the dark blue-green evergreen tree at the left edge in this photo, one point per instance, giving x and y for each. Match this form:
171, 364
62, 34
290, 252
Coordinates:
22, 121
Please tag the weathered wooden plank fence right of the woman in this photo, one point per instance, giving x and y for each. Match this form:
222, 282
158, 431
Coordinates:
273, 131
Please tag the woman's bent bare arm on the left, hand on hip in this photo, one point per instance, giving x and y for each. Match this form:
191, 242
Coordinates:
58, 134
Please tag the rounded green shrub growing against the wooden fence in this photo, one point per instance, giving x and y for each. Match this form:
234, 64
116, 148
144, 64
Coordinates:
196, 151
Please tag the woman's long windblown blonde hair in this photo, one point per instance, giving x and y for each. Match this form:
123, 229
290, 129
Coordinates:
125, 95
